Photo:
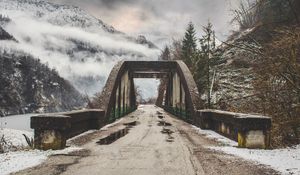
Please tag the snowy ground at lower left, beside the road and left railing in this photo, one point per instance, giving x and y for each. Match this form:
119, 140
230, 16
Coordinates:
17, 155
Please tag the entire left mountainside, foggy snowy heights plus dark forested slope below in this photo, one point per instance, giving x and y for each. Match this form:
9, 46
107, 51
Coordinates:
52, 54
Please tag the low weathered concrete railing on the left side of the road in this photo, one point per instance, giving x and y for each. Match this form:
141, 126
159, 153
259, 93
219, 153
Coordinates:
52, 130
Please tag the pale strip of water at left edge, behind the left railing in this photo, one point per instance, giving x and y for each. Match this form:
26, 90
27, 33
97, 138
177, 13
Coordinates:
19, 122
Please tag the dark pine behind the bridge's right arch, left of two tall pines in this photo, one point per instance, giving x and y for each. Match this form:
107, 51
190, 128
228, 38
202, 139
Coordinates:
189, 45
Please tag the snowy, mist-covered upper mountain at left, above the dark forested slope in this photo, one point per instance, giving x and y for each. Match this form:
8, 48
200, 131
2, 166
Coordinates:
82, 48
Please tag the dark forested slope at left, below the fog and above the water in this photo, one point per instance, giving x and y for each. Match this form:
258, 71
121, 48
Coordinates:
29, 86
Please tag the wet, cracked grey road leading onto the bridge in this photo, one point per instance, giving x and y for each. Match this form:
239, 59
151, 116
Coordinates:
150, 148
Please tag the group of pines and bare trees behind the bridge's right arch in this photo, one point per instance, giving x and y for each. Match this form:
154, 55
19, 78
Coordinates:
198, 54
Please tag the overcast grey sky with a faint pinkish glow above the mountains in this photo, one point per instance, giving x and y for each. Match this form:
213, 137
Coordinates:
160, 20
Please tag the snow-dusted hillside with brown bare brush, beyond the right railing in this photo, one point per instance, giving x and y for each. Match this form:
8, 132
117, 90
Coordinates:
260, 74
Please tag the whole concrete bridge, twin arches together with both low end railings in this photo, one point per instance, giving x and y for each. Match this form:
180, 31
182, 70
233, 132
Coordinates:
178, 96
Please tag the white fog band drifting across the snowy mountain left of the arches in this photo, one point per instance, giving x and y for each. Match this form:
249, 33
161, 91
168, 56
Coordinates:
86, 67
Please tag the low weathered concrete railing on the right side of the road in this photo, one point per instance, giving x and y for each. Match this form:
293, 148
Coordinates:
250, 131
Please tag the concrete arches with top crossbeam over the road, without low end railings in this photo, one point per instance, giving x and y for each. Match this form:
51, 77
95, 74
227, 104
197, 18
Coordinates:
180, 94
